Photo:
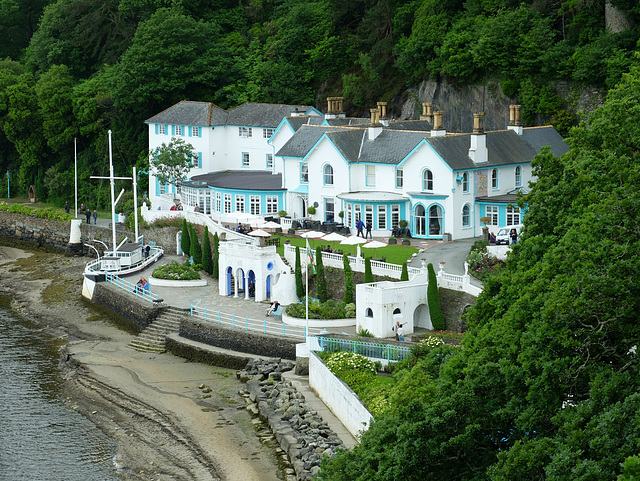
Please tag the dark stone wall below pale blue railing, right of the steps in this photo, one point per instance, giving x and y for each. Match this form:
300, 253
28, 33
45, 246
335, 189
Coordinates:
239, 340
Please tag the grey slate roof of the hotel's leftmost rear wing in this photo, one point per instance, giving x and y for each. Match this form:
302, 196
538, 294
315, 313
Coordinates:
188, 112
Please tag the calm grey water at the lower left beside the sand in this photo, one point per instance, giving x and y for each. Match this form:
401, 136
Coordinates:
40, 437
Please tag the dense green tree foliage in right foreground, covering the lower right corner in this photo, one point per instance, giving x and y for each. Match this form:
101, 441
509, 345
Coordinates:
548, 383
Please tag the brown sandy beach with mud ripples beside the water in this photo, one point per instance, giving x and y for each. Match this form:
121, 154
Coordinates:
170, 419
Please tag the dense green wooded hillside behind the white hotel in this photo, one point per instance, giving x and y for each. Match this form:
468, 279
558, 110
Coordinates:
75, 68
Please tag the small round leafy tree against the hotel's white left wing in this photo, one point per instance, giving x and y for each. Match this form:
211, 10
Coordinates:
172, 162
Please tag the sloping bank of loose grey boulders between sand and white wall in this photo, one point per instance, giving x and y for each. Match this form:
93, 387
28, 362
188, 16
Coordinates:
300, 431
